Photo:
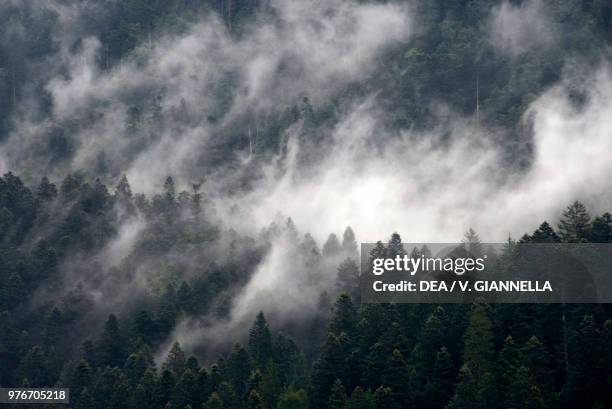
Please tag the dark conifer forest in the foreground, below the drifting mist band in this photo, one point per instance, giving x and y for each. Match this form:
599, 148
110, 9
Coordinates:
71, 318
